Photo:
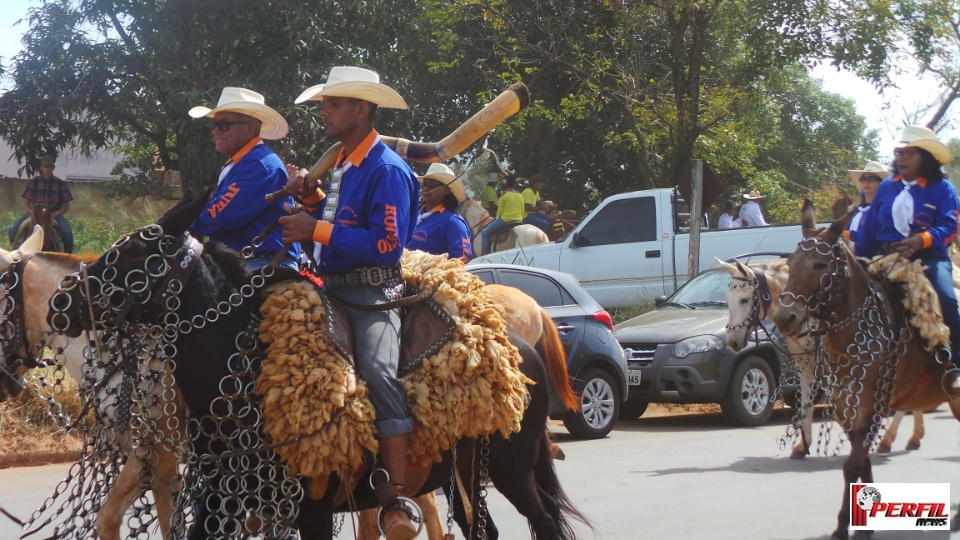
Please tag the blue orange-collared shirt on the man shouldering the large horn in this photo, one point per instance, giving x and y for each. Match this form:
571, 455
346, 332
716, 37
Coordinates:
376, 210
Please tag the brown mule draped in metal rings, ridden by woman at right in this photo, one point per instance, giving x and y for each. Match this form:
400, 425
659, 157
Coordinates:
873, 360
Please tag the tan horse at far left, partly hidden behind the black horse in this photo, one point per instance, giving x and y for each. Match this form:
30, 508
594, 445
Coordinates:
38, 274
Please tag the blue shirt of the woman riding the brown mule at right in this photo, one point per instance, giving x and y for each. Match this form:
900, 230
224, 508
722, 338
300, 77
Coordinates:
935, 210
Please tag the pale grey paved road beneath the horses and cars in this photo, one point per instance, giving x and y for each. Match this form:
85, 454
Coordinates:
675, 477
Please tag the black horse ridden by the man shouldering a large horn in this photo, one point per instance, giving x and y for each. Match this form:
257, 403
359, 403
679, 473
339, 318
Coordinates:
520, 467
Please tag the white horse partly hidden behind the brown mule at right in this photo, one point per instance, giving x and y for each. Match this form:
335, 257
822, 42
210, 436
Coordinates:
754, 295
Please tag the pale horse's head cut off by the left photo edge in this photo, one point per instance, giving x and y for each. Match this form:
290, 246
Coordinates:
12, 363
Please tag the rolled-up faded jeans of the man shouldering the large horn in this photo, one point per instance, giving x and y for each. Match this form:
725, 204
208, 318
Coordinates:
376, 348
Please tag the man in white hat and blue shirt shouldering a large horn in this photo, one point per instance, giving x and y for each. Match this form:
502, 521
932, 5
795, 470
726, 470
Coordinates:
362, 225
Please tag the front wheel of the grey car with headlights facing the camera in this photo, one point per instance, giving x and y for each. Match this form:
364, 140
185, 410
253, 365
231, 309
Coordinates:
749, 398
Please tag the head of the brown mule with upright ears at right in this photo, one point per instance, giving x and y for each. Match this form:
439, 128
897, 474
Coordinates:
819, 267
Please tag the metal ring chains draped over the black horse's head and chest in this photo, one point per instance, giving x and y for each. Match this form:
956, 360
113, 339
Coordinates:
253, 482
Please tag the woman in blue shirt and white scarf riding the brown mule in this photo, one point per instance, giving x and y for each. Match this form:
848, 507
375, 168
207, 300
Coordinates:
915, 214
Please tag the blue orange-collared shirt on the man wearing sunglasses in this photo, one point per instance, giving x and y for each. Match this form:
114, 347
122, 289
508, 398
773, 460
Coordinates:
237, 213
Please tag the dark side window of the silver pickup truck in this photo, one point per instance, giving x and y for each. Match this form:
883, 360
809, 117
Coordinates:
620, 222
